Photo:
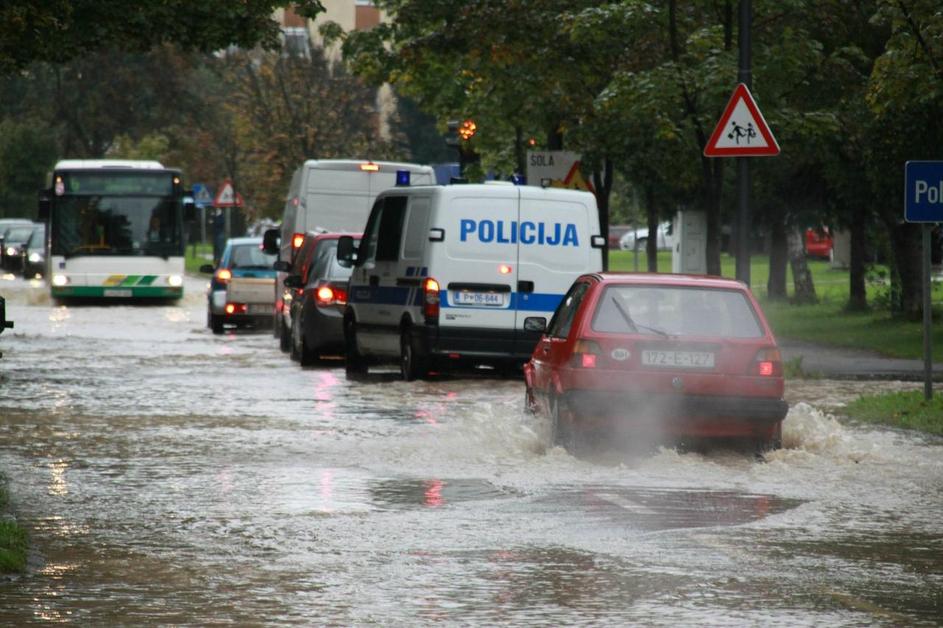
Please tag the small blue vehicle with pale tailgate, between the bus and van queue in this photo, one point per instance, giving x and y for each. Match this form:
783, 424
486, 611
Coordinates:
243, 286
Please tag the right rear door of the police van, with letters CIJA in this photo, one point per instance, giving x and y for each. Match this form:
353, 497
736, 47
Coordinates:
554, 234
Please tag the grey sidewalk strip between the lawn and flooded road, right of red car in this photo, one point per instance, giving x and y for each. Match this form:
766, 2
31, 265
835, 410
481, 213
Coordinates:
841, 363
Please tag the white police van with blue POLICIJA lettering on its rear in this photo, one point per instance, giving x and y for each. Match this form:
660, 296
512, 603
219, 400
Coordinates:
447, 274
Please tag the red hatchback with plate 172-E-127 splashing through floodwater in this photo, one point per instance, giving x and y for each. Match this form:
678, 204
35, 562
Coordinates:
657, 357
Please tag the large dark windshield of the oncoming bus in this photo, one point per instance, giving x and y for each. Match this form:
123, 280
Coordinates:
116, 215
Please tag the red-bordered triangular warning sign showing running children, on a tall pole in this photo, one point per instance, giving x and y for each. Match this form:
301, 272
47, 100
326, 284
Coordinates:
742, 130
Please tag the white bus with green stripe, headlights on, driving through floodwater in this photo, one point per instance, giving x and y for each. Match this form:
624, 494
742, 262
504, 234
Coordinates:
115, 229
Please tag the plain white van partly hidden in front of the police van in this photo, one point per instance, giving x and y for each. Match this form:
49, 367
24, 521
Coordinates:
334, 195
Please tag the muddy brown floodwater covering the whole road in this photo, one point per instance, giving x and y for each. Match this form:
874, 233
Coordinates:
170, 476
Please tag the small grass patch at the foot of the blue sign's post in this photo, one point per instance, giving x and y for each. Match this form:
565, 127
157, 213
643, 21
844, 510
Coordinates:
908, 410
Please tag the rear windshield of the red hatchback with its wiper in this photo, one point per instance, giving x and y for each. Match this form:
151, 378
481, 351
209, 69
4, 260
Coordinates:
676, 311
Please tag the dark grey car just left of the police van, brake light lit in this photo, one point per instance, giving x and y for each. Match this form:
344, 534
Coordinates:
316, 312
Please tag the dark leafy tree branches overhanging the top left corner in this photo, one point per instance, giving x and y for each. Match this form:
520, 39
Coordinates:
61, 30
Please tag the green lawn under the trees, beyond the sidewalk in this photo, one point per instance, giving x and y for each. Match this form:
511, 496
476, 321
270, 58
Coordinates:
825, 322
